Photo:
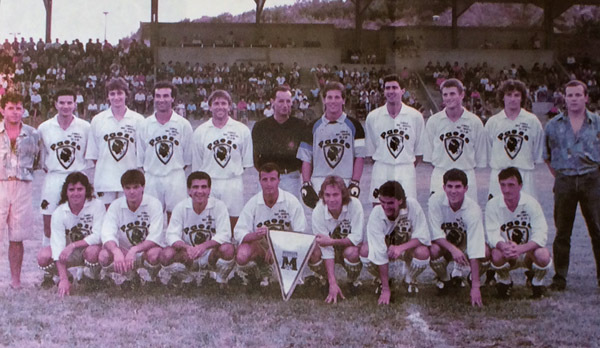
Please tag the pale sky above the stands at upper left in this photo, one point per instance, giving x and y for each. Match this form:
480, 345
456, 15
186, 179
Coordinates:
84, 19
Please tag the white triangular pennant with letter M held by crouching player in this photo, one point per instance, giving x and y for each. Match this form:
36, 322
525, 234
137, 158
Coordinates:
291, 251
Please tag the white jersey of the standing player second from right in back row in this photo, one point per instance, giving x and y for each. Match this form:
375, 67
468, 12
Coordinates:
461, 144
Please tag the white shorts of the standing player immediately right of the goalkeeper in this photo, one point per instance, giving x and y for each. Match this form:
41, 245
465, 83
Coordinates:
405, 174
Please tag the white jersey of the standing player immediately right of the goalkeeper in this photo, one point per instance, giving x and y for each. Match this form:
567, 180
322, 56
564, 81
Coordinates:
394, 140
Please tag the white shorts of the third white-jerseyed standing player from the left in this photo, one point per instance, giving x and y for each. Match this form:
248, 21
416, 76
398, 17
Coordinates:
169, 189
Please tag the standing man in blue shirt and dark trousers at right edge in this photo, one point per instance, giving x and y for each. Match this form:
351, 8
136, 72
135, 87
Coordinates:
572, 152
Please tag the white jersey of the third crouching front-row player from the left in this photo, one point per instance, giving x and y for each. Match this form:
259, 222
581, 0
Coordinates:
194, 229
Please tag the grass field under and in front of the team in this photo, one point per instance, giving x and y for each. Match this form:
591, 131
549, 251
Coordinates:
157, 317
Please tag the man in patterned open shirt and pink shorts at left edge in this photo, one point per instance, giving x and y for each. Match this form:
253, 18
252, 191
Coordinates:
20, 153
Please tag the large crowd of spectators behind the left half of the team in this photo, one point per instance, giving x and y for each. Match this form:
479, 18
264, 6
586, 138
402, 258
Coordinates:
39, 69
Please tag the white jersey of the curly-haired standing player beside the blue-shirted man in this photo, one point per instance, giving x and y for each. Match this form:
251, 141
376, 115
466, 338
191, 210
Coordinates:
518, 143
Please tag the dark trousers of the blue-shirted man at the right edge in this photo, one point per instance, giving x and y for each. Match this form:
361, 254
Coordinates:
568, 192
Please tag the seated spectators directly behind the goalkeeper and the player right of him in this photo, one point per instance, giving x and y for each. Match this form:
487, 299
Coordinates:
364, 87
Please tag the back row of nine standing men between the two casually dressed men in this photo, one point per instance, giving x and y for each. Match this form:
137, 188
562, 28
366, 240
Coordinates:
396, 138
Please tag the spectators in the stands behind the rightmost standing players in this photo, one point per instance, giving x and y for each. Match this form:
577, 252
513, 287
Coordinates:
544, 83
